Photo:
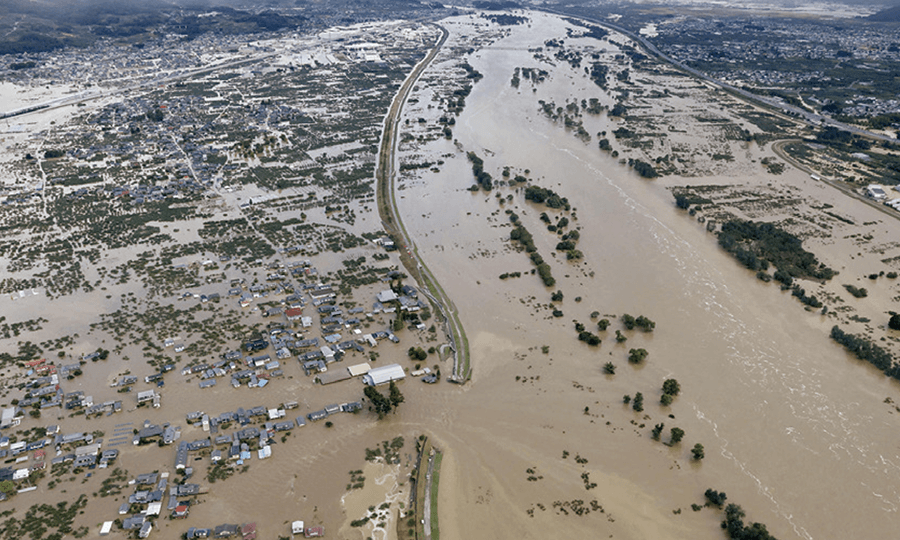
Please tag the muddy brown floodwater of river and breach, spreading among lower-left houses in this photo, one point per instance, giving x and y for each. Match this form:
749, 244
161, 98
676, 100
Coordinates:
794, 430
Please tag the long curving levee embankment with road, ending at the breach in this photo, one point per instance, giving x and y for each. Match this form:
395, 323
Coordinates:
385, 176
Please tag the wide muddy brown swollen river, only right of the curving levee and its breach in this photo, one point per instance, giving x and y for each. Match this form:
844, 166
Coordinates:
794, 431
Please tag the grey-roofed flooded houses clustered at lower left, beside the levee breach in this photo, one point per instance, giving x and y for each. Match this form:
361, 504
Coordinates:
257, 362
